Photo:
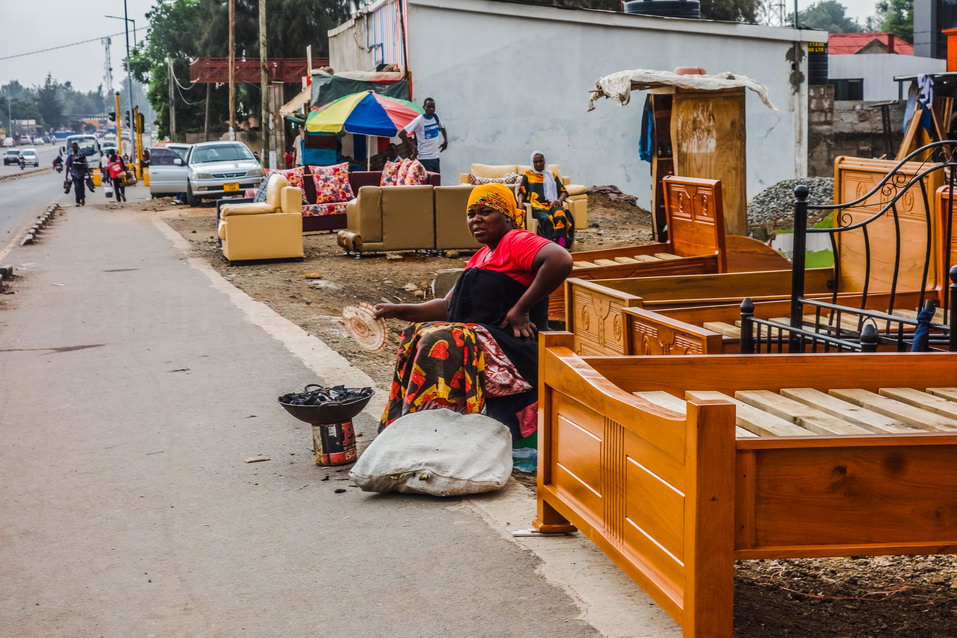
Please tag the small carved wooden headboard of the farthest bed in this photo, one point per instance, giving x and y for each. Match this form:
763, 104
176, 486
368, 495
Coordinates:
695, 214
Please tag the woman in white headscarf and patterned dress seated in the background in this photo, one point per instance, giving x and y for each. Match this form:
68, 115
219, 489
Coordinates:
546, 194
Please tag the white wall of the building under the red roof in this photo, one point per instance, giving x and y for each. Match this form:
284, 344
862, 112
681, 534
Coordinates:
878, 71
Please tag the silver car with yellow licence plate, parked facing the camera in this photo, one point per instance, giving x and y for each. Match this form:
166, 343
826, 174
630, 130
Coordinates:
220, 169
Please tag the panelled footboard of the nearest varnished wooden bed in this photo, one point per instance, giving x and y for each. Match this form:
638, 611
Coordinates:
654, 489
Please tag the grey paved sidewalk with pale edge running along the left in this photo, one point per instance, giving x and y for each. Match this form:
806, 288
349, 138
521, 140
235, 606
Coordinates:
133, 383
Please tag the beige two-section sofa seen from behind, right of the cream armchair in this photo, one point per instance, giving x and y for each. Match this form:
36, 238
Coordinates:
397, 218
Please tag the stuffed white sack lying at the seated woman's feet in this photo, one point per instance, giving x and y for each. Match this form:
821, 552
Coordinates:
437, 452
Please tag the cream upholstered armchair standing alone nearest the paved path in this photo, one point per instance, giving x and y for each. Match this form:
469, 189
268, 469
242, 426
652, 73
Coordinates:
264, 230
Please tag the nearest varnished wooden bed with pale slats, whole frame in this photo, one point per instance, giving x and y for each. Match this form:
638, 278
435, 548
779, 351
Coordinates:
678, 466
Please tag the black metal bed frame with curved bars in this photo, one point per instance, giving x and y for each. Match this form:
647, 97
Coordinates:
857, 329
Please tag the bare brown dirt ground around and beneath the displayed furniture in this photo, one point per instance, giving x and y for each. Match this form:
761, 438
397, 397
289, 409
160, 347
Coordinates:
842, 597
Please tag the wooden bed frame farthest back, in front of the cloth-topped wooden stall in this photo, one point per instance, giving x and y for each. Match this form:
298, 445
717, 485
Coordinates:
697, 244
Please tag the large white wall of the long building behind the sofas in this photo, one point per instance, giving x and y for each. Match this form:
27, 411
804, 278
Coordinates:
509, 77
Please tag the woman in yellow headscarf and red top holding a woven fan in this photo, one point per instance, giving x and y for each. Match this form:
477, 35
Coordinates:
475, 350
